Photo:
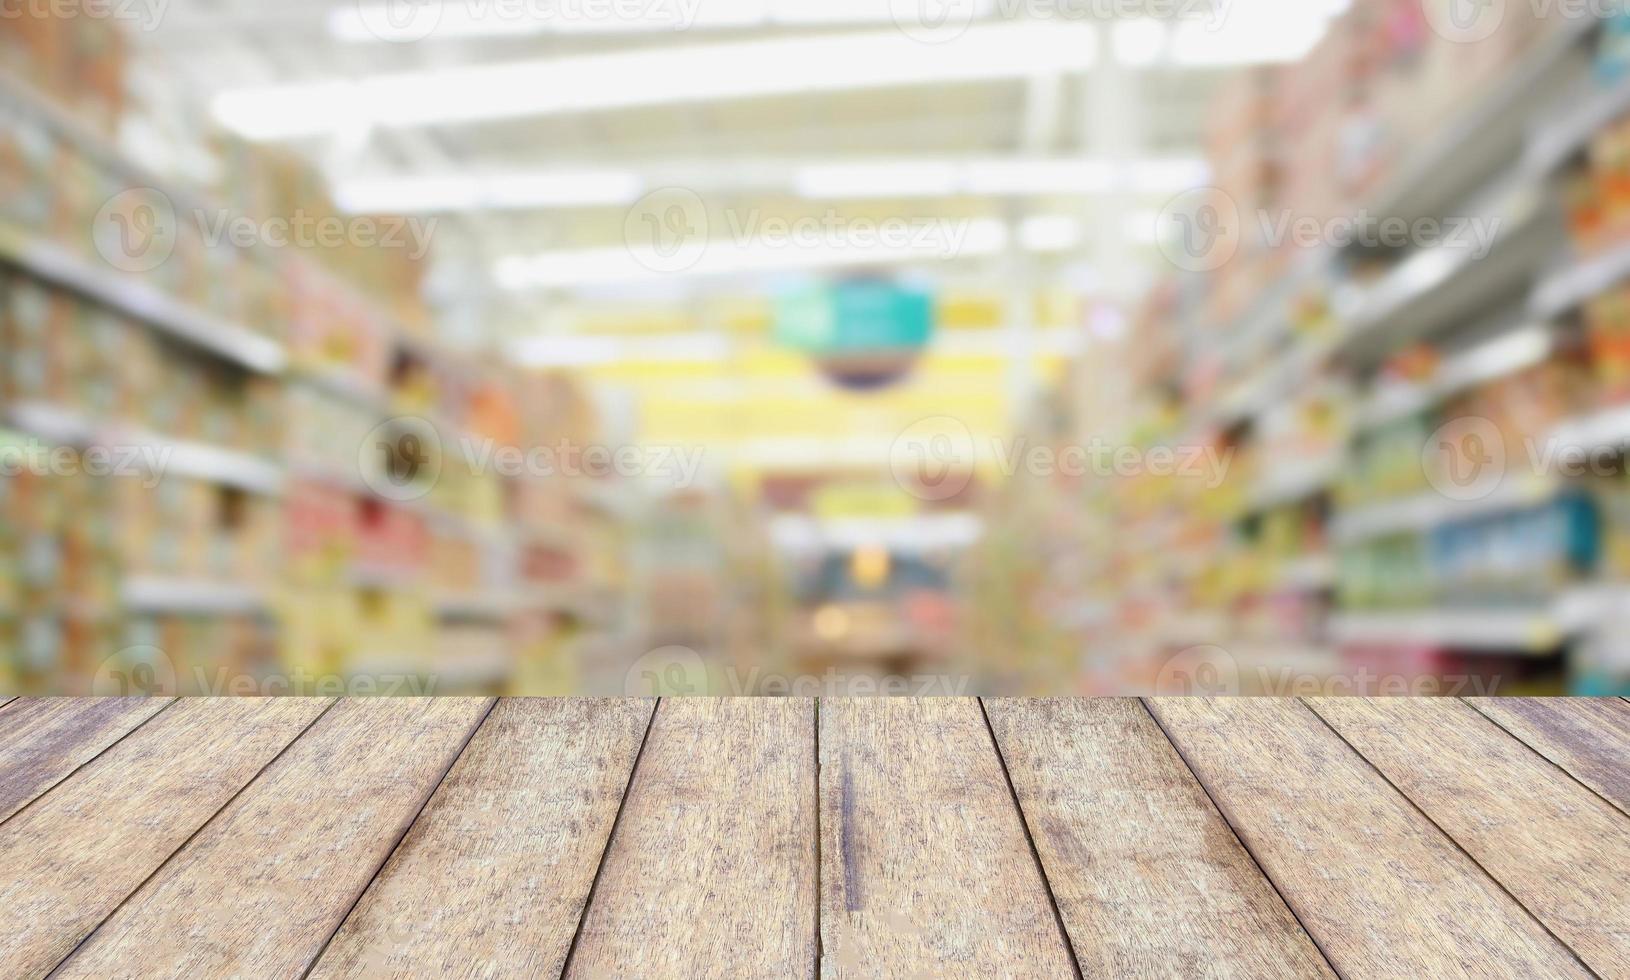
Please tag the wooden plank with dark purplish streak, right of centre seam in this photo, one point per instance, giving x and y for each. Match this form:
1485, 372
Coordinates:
927, 870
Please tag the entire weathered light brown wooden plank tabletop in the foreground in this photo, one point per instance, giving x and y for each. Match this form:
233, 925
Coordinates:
770, 839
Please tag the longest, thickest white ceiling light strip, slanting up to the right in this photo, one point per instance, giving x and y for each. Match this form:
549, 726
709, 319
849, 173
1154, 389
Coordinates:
654, 77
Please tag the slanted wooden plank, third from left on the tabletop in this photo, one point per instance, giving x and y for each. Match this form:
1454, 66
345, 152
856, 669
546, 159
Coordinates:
268, 881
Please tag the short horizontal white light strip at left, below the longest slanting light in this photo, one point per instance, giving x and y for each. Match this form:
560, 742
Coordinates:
428, 195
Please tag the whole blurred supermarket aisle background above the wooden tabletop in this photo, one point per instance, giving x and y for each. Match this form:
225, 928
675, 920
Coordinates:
814, 347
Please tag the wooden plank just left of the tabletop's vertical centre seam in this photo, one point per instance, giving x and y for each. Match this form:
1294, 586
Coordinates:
711, 868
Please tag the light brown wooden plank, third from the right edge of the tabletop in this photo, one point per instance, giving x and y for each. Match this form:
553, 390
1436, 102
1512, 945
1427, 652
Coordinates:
1381, 890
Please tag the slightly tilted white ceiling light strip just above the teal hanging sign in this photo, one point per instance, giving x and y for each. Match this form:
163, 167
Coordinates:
938, 242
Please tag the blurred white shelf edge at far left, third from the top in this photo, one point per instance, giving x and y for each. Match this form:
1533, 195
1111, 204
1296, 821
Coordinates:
193, 461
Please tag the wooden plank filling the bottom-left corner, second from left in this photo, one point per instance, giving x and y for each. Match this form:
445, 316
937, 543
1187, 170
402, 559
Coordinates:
82, 849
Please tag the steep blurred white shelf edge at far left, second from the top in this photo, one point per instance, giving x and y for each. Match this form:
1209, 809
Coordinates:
138, 301
